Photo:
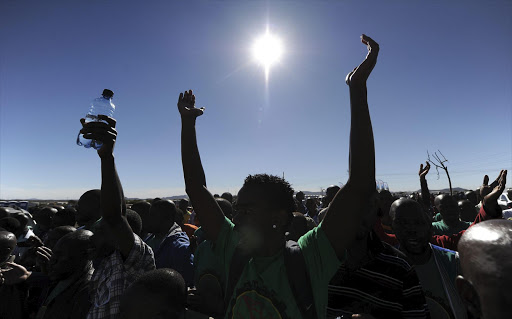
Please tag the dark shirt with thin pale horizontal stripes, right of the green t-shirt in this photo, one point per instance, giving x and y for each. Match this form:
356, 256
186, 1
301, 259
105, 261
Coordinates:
385, 287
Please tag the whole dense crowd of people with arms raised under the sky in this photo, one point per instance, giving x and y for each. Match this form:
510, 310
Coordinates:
267, 252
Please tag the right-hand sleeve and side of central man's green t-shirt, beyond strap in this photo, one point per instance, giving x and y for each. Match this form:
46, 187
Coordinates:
322, 264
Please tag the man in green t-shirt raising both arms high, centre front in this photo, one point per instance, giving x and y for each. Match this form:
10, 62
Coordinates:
254, 251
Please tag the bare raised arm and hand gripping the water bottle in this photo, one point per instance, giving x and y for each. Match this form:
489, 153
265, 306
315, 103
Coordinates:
112, 198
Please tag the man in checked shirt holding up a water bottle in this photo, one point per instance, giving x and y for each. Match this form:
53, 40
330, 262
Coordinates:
125, 257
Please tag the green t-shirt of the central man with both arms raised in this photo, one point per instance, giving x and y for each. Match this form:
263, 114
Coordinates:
263, 291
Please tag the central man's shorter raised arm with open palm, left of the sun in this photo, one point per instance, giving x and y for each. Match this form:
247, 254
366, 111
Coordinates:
204, 203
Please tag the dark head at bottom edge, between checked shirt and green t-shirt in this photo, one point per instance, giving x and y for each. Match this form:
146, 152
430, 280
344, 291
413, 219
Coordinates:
157, 294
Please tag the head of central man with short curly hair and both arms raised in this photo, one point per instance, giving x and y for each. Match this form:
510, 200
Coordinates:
263, 210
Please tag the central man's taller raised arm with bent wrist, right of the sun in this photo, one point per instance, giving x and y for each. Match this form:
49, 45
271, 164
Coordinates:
354, 200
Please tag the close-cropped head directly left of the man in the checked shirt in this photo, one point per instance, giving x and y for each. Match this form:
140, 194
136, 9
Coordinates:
71, 255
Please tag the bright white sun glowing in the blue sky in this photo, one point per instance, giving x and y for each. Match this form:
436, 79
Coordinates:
267, 50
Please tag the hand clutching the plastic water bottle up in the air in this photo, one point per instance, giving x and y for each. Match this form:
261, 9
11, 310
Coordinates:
104, 132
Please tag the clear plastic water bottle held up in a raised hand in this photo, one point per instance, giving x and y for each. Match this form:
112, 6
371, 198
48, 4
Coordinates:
102, 105
